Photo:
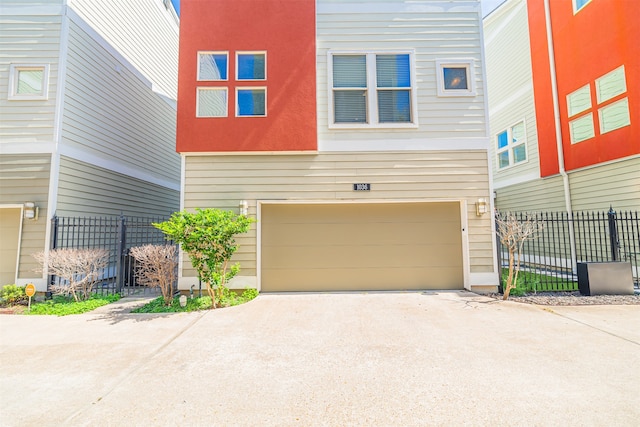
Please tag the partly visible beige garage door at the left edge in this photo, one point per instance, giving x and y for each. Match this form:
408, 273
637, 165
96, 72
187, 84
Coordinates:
9, 238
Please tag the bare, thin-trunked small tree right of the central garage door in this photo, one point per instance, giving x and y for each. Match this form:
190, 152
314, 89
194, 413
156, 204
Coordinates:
513, 233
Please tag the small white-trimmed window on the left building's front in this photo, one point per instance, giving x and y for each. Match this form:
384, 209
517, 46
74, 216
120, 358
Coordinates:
28, 82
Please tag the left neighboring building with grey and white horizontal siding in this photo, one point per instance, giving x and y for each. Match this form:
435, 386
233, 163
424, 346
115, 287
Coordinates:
87, 118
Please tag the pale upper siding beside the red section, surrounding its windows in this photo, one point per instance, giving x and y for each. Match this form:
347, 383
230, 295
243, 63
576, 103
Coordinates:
436, 30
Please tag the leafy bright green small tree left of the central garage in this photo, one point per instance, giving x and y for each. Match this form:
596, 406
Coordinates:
208, 236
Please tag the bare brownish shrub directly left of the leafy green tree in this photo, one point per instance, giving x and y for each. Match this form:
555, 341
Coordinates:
156, 266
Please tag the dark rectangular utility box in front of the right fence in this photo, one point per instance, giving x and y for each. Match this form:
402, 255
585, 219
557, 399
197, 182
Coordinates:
605, 278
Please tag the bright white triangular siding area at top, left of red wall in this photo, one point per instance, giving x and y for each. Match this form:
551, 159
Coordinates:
143, 31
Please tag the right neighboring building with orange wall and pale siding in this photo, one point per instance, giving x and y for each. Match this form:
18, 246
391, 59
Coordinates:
563, 80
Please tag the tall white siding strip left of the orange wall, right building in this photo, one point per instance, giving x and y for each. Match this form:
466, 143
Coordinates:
510, 87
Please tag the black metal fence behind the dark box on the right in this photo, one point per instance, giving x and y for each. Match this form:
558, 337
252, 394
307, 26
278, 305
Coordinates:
549, 261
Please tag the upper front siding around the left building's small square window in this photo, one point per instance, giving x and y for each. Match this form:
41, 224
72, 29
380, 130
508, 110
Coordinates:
27, 39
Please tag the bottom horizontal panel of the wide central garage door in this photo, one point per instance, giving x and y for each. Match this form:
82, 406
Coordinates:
360, 279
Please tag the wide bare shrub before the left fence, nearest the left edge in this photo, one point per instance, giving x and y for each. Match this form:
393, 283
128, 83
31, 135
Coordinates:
78, 269
